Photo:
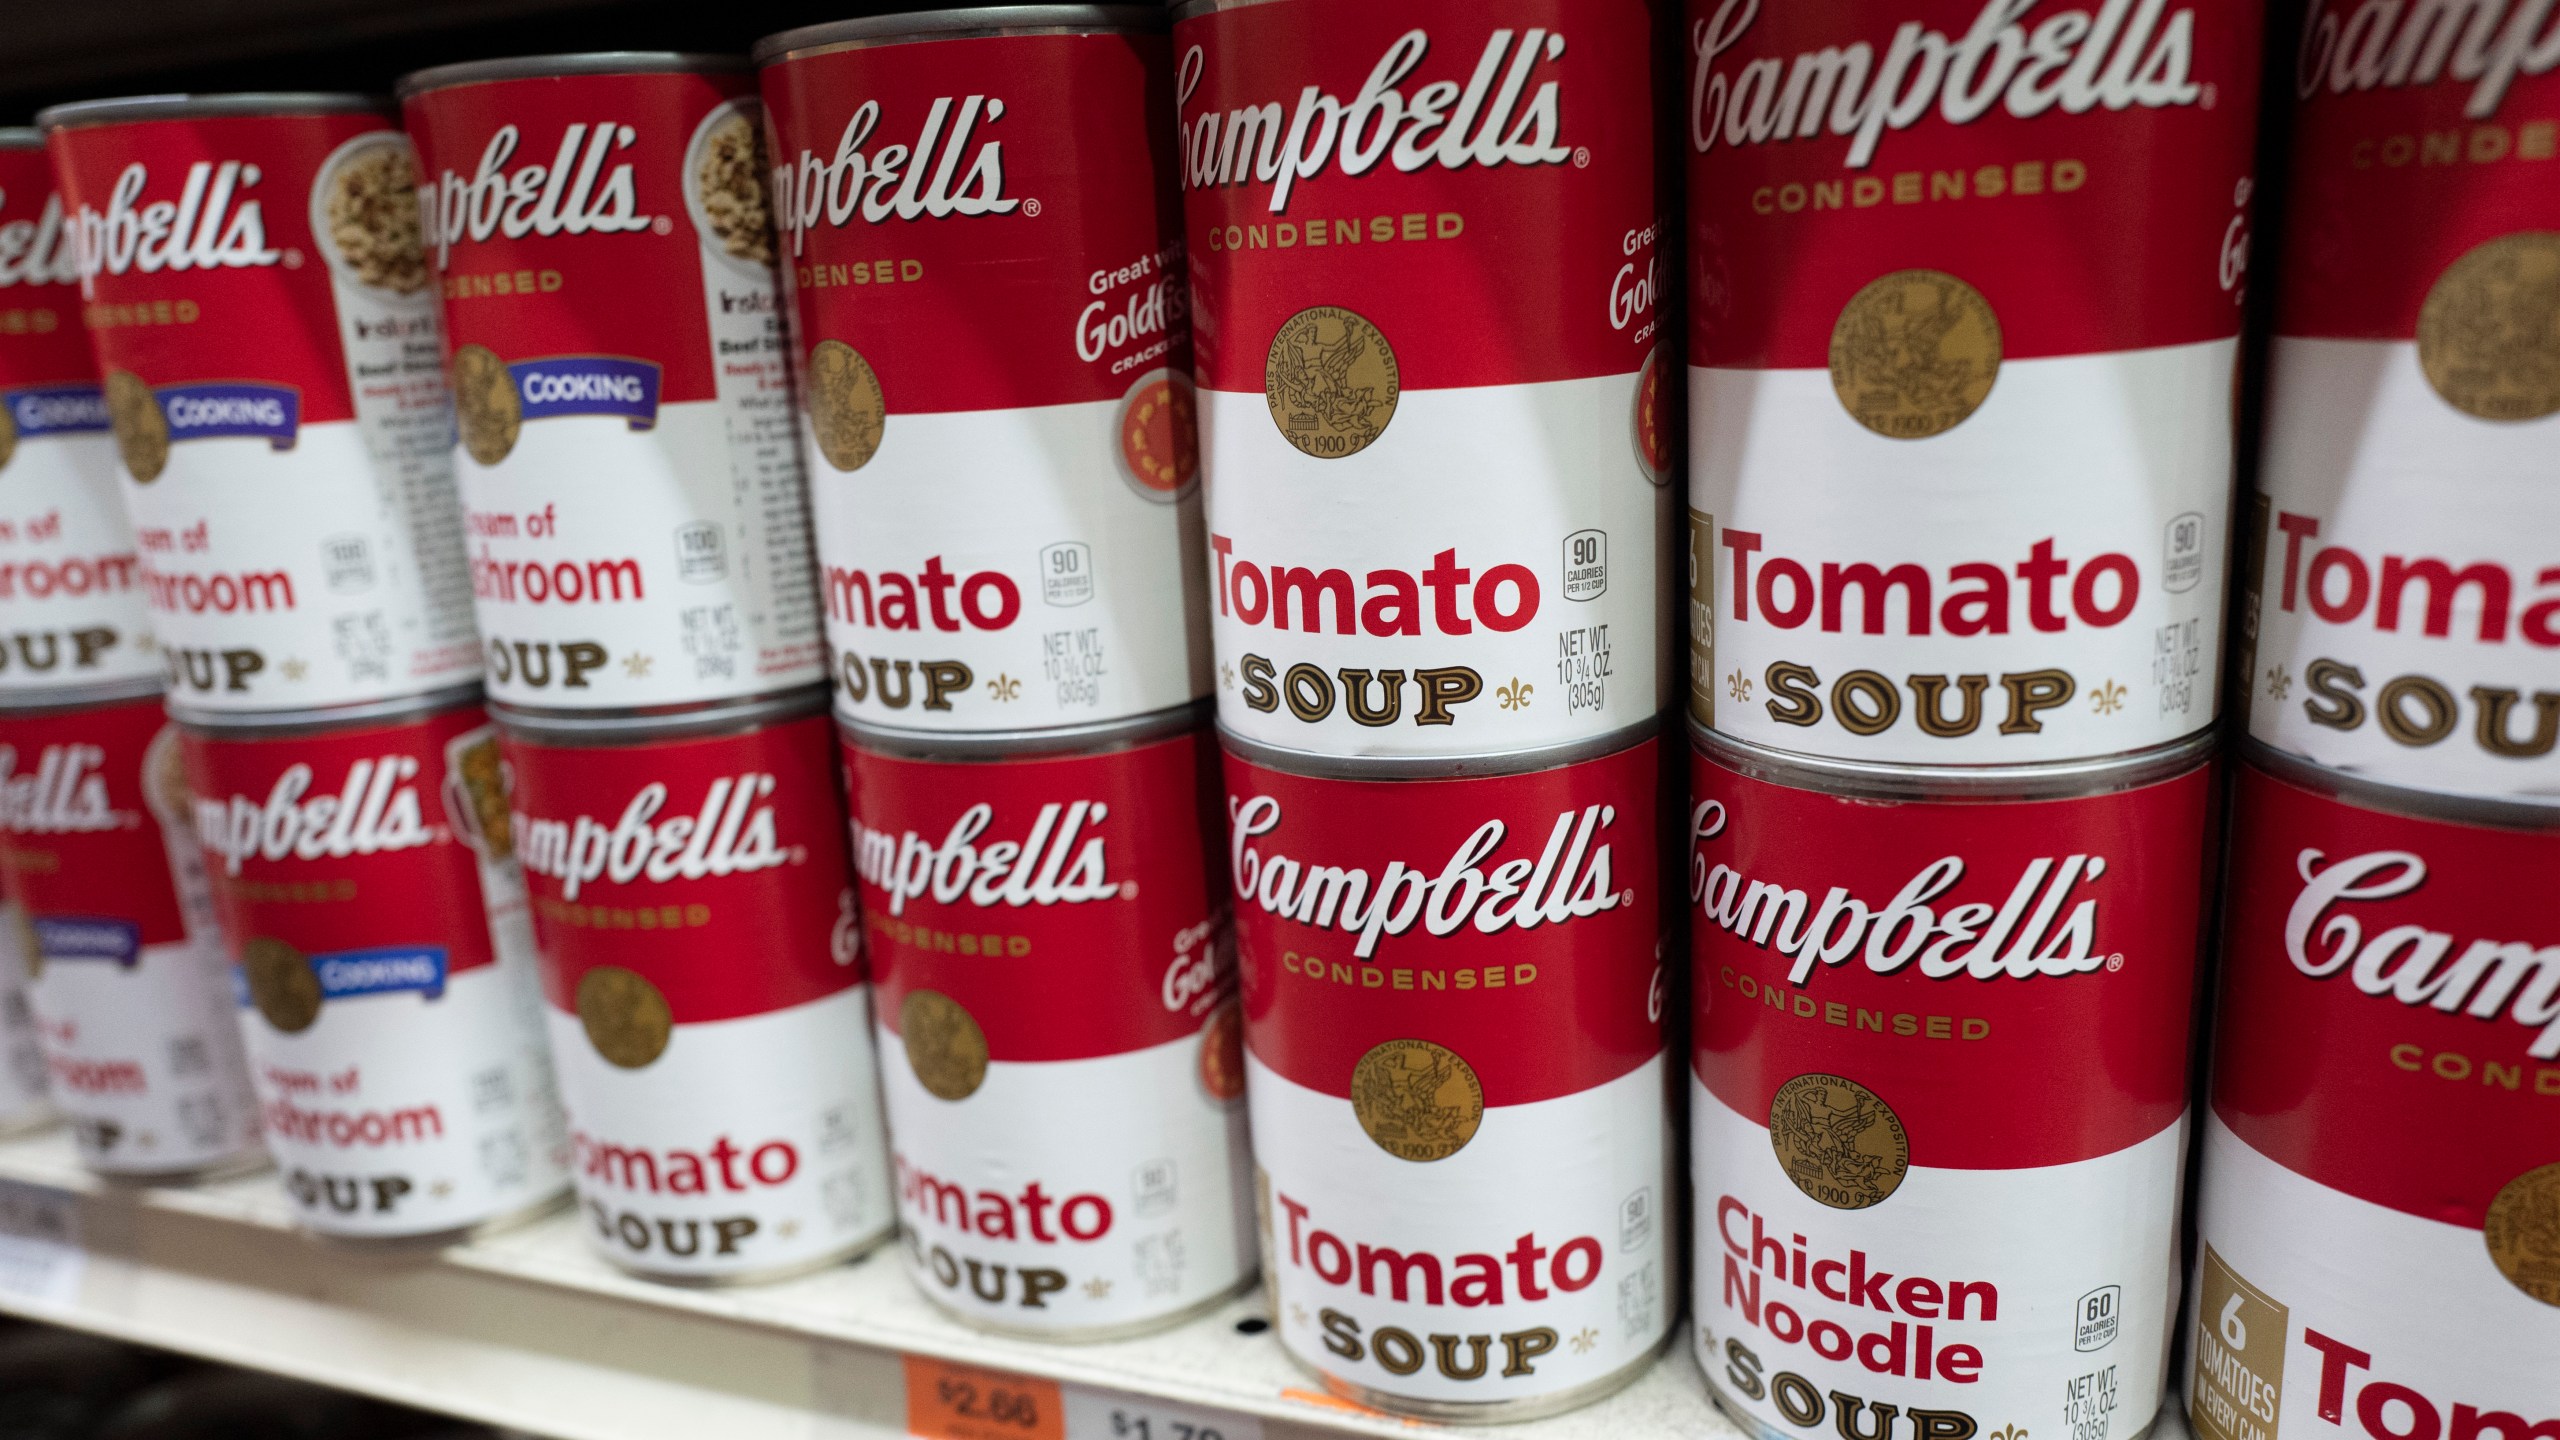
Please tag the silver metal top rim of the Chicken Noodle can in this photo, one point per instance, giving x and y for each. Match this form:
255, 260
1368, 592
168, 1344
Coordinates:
1960, 785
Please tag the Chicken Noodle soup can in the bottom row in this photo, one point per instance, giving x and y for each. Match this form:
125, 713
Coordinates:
1939, 1088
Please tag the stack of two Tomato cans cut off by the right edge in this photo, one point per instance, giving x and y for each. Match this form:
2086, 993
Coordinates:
2380, 1218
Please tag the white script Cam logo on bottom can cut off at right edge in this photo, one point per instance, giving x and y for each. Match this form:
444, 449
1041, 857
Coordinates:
2415, 965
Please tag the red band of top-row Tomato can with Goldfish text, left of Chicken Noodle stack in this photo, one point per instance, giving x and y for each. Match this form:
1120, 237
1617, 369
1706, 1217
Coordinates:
1476, 178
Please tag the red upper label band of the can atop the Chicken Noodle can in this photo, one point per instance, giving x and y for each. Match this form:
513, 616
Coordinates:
2083, 165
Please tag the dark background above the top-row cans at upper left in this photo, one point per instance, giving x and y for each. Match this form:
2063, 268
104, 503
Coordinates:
83, 50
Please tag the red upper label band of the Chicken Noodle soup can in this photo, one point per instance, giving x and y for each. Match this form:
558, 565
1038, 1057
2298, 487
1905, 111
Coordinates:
2013, 980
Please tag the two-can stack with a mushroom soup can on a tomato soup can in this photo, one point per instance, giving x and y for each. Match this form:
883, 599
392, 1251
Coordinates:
639, 552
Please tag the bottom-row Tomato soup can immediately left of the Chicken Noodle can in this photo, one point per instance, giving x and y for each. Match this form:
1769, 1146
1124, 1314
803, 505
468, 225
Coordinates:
1458, 1070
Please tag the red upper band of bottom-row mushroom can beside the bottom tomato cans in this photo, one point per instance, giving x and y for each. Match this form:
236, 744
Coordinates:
355, 839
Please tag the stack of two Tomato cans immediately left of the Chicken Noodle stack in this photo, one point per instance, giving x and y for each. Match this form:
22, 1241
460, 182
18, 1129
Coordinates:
1430, 263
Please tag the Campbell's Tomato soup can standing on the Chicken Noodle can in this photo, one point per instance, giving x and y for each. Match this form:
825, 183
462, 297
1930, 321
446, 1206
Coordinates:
1965, 322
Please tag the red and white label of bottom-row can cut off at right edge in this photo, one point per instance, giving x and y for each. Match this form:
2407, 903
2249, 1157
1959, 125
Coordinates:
2380, 1165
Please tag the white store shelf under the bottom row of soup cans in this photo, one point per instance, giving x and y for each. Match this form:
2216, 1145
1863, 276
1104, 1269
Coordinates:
526, 1329
